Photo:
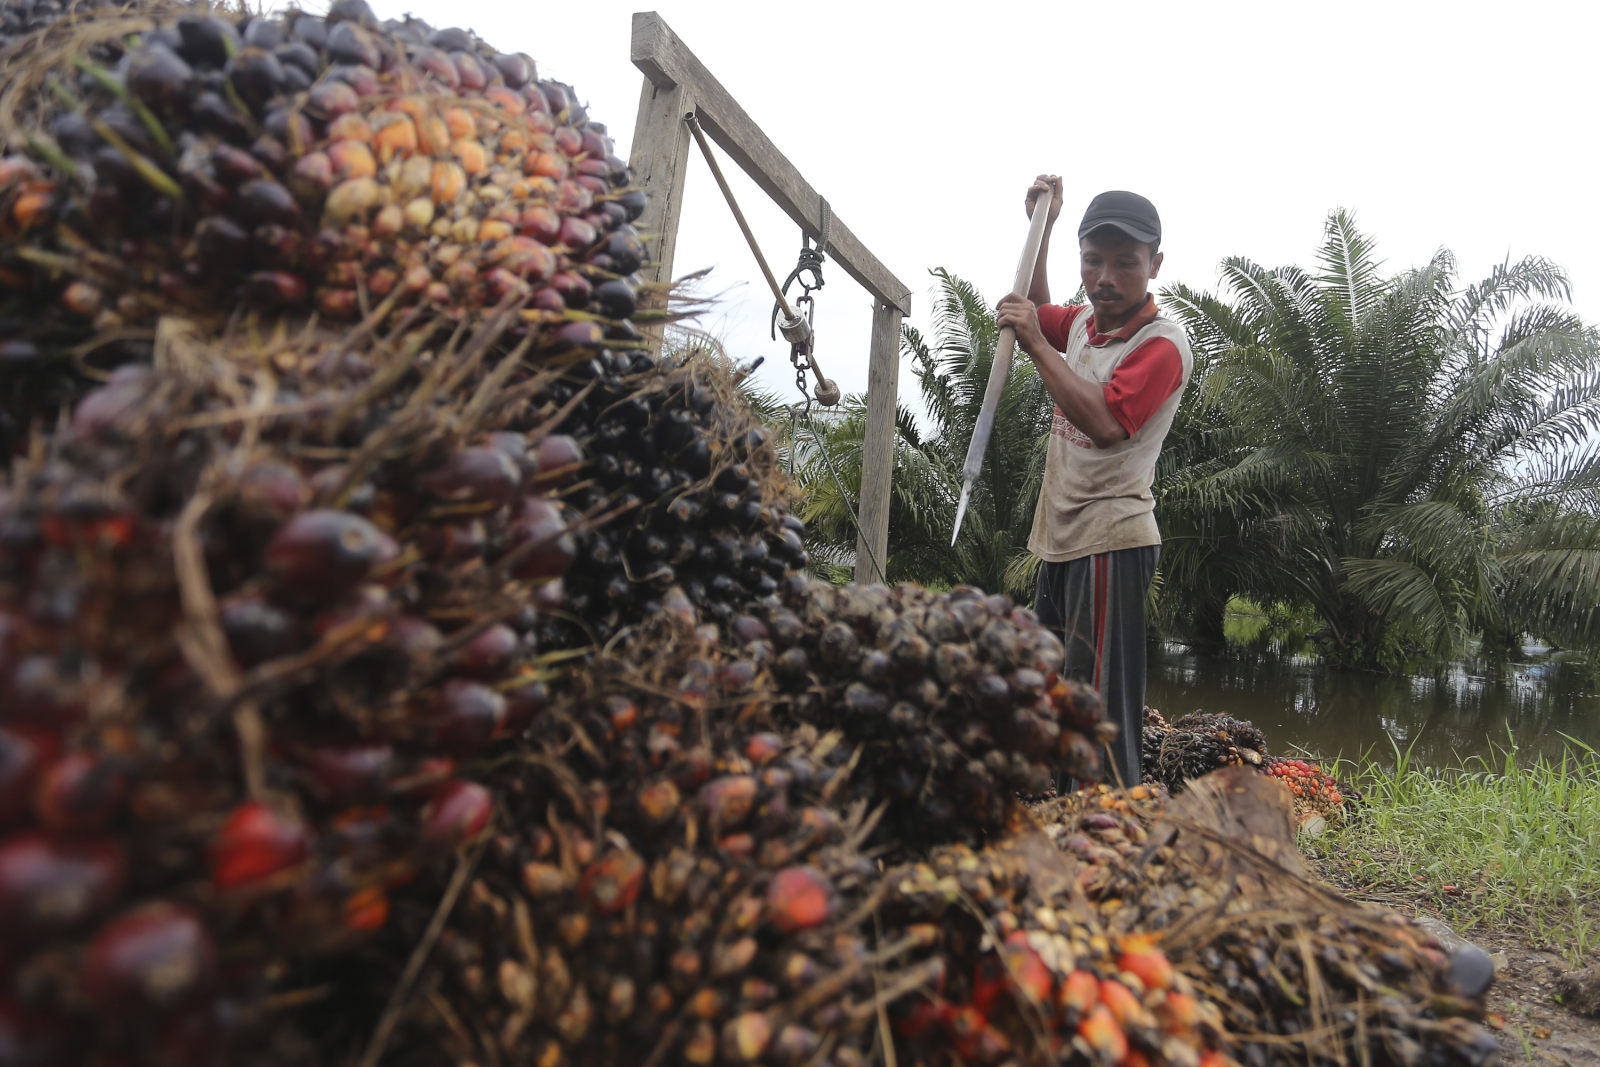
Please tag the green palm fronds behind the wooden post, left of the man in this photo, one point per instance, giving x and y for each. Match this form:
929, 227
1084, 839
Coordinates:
953, 370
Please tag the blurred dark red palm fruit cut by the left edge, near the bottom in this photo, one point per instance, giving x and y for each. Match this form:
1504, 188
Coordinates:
49, 885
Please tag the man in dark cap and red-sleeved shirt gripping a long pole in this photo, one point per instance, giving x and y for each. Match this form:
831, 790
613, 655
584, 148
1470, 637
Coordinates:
1116, 370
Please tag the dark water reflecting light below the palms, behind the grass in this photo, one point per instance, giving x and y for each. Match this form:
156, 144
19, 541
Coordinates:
1303, 705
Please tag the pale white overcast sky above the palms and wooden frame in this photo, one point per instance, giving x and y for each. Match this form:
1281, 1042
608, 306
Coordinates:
1441, 126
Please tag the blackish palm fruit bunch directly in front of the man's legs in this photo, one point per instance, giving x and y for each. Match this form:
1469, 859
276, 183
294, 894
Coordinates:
953, 698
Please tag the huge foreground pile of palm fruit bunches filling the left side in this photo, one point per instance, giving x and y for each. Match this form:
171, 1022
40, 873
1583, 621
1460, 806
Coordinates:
399, 663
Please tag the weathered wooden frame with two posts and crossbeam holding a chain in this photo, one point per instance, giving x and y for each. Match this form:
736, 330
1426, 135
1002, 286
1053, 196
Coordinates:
678, 84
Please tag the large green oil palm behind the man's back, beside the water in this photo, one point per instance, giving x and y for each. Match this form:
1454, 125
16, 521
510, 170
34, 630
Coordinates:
1375, 447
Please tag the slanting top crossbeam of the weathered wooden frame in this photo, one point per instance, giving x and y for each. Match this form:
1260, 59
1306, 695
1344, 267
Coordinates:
670, 65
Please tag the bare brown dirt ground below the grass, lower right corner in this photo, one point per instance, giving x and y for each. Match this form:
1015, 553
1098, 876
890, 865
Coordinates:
1529, 1001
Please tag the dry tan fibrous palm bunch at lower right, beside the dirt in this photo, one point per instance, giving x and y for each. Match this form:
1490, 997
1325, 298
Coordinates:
1302, 973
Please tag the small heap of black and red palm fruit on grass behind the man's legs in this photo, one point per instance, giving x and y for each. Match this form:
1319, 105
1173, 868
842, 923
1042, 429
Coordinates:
1201, 743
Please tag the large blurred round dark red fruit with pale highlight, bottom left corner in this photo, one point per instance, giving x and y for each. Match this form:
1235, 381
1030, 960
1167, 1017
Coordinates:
154, 957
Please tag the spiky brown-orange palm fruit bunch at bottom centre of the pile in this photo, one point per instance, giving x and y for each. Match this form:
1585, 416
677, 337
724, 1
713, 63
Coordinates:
671, 882
